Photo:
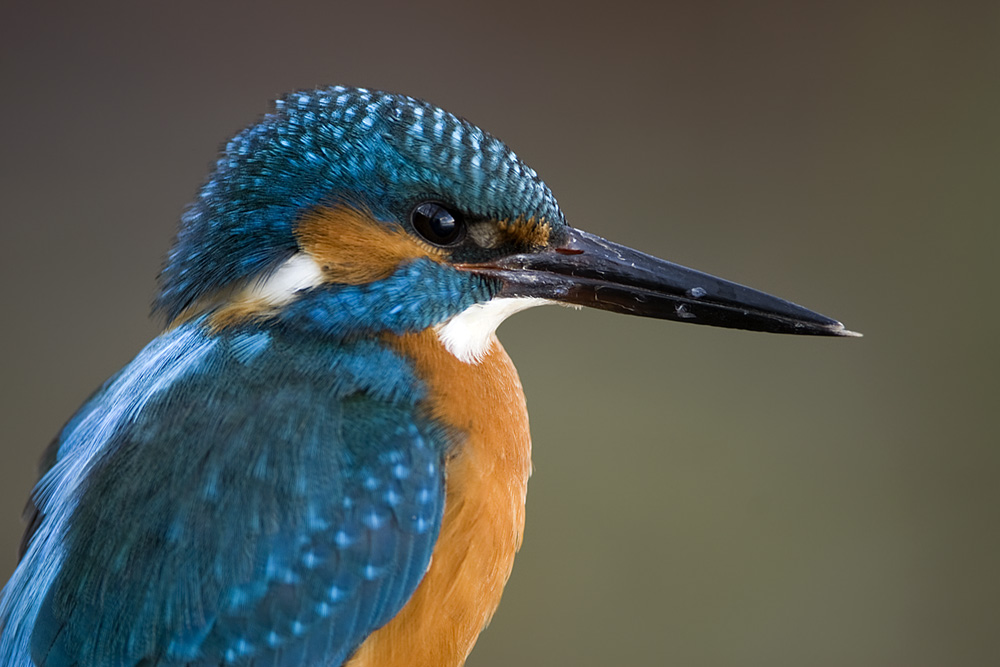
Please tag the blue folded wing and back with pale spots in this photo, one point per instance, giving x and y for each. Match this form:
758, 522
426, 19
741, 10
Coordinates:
230, 500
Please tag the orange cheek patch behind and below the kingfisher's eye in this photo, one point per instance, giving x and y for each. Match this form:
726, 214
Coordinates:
352, 248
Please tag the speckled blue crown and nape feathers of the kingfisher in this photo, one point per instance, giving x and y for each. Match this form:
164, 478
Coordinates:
334, 146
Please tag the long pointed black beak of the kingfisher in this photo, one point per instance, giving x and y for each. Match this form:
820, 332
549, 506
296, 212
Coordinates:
587, 270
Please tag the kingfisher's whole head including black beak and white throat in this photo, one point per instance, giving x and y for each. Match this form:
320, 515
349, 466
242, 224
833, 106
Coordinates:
352, 212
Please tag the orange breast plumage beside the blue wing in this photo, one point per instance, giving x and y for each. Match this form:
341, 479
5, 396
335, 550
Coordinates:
484, 510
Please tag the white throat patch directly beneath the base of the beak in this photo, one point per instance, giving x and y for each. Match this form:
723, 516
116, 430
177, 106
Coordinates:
470, 334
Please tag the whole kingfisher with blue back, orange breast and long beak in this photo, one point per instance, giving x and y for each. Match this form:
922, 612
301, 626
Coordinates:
322, 459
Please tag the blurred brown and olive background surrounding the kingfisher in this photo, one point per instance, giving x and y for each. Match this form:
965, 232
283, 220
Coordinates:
700, 496
